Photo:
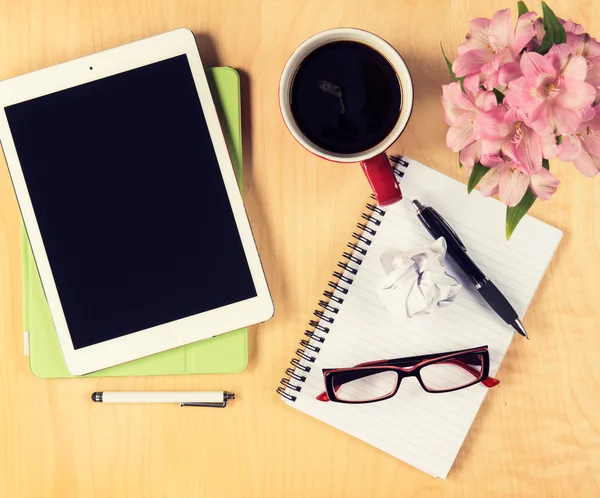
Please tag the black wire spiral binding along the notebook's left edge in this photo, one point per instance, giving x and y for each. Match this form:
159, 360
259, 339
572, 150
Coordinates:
328, 308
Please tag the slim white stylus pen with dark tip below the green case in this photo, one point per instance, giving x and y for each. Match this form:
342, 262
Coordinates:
217, 399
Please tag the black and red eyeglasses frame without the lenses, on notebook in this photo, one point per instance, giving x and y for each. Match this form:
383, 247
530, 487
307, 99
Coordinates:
409, 367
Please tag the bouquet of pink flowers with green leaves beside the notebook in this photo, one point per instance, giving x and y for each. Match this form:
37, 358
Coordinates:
523, 94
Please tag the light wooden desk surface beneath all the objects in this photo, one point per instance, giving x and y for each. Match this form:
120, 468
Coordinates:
537, 435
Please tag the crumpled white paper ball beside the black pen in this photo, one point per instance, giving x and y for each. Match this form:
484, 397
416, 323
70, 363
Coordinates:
417, 283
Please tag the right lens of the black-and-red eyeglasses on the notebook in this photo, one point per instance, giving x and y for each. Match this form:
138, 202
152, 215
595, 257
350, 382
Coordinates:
453, 373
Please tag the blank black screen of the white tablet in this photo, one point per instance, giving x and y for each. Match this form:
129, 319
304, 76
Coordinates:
130, 202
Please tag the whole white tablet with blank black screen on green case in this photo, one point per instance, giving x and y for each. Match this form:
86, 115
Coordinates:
130, 202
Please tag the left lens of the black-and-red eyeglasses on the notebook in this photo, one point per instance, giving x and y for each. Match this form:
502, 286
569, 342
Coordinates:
369, 385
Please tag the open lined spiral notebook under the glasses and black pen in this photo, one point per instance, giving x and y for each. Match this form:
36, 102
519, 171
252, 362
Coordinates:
351, 326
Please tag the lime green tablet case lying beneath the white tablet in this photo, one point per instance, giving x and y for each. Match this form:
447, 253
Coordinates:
225, 353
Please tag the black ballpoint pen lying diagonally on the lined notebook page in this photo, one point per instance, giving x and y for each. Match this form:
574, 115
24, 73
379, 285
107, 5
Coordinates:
439, 227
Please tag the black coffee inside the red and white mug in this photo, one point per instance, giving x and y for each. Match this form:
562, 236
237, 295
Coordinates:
345, 97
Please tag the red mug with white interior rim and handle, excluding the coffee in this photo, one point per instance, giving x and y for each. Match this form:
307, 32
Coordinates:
374, 161
